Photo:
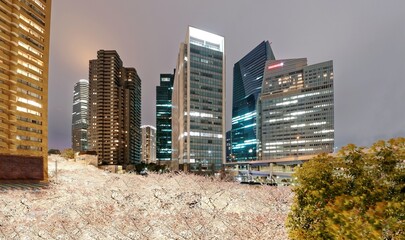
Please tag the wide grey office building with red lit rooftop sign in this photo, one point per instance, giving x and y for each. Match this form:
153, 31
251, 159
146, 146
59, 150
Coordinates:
296, 109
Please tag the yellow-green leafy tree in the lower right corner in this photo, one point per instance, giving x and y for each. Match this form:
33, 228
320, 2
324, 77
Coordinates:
359, 194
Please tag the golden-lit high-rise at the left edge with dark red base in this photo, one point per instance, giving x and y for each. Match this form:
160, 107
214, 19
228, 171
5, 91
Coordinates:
24, 52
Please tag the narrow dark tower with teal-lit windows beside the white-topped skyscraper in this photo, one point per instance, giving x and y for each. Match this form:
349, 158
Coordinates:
164, 117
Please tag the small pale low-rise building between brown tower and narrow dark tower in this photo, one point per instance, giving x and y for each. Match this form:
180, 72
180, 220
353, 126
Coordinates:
148, 147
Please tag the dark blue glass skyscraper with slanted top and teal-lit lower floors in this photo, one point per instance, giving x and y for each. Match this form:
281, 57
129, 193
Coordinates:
247, 83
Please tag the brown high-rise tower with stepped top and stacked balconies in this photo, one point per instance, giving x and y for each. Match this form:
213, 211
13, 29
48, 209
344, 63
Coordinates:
115, 110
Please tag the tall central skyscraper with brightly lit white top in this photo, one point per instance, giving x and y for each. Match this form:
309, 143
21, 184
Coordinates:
198, 115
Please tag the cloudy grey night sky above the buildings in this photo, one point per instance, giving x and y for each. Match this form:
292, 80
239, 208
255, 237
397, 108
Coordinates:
365, 39
